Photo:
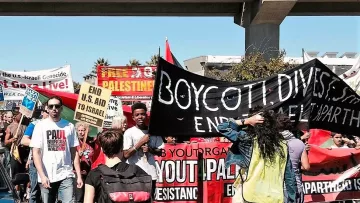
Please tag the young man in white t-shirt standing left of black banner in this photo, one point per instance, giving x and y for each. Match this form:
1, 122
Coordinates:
139, 147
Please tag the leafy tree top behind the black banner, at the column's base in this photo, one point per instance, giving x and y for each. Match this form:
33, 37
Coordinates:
251, 67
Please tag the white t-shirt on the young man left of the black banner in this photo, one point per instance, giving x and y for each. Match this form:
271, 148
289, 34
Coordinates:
131, 137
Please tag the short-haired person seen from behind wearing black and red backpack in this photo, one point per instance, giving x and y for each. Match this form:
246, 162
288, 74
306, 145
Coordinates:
116, 181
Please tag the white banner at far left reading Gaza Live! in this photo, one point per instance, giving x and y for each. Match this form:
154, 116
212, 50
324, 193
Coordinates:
15, 82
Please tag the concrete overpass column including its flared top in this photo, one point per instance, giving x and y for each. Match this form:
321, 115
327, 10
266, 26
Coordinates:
261, 20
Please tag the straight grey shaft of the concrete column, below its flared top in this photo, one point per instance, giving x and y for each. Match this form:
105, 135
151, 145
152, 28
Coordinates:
263, 38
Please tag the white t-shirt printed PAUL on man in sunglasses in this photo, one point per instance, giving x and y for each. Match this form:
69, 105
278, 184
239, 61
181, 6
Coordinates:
54, 139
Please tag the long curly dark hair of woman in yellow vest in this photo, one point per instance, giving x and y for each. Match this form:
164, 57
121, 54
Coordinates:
267, 134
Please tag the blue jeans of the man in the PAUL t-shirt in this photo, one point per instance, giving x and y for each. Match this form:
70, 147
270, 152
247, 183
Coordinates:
62, 190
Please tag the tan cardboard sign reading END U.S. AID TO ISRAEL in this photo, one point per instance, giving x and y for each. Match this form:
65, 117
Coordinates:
92, 104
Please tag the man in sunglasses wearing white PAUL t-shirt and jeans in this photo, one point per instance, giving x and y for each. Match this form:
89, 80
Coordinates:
54, 144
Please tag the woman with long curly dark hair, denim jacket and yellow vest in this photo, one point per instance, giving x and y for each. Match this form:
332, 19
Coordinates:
261, 152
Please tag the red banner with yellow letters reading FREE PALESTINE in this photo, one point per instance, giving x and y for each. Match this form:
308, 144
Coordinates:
130, 83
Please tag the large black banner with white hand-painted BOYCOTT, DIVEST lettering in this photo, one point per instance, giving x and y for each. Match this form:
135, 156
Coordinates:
186, 104
